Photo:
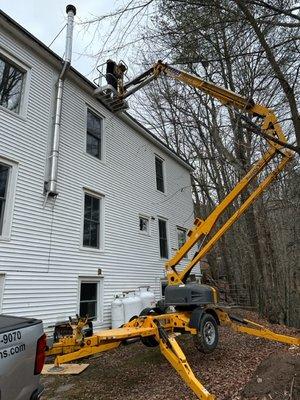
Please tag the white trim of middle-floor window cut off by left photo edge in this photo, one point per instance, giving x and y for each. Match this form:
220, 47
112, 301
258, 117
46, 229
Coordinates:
10, 198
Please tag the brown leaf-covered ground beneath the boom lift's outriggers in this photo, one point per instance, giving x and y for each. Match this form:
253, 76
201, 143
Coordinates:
242, 367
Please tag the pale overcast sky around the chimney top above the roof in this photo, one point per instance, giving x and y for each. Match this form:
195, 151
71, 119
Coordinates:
45, 18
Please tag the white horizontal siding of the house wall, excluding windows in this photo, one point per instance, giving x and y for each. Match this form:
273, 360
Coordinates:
45, 257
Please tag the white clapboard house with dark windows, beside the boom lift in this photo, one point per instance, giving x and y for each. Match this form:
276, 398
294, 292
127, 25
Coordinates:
124, 200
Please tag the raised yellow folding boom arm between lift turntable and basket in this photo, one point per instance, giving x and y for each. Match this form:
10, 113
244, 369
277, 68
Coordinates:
270, 128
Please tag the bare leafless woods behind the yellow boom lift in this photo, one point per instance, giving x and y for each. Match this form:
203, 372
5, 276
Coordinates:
251, 48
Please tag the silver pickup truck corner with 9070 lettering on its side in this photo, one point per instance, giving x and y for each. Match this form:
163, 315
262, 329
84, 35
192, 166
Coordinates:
22, 357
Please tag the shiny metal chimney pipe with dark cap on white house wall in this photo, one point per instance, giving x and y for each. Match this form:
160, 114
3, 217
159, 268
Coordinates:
51, 185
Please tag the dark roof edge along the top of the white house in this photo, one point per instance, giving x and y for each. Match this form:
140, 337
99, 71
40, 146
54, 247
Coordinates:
126, 117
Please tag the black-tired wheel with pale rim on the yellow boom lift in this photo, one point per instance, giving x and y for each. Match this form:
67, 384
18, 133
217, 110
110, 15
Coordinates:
207, 337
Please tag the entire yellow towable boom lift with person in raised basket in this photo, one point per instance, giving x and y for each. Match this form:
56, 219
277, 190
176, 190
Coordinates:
197, 311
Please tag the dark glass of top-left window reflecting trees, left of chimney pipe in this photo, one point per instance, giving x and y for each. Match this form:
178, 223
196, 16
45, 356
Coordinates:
11, 79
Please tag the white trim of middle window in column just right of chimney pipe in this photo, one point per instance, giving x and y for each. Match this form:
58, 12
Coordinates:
101, 196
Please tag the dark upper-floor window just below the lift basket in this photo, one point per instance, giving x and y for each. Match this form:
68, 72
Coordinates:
94, 135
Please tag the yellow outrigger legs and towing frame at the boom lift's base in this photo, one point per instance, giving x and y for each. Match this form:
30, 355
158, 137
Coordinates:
161, 329
